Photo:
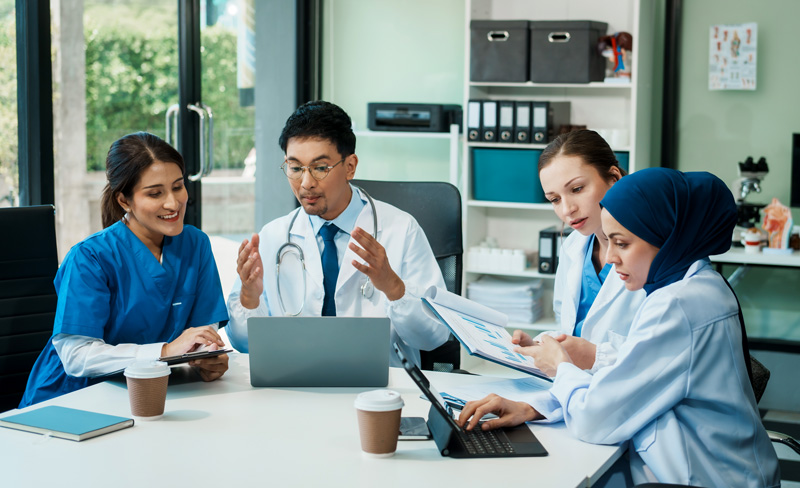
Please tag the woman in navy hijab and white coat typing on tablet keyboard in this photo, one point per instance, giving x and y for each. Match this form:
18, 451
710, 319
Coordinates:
679, 393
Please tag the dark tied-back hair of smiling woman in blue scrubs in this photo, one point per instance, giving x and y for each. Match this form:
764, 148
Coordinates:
127, 158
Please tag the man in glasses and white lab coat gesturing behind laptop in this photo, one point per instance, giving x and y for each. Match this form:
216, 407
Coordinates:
351, 268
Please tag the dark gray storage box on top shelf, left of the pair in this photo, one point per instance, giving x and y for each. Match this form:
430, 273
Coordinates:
499, 50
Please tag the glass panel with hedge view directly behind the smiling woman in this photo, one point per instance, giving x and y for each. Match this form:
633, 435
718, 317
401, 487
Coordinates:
115, 71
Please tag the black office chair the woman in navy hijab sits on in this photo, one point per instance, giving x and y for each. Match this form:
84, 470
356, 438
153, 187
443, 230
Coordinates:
759, 376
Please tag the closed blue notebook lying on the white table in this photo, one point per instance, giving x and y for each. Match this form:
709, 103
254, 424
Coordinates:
67, 423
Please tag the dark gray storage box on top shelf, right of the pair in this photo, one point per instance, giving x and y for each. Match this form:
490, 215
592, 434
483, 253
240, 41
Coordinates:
566, 51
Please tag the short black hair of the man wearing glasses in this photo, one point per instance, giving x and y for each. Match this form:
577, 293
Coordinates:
323, 120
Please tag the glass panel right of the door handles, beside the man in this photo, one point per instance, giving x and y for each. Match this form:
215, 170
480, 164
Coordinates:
228, 74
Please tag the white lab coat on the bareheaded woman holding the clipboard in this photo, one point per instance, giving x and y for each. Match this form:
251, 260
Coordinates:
610, 316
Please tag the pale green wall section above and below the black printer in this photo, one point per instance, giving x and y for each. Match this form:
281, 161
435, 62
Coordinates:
394, 51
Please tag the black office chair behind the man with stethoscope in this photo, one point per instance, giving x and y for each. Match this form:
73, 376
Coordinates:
437, 208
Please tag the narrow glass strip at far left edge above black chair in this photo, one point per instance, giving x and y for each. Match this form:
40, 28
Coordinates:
9, 172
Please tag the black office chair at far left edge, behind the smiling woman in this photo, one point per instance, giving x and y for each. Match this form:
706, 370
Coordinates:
28, 265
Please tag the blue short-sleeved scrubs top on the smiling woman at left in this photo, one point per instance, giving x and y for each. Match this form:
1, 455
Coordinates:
110, 286
